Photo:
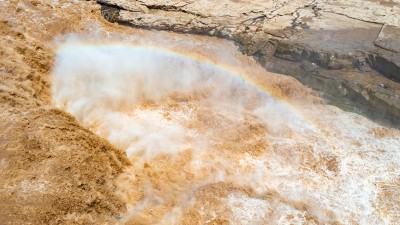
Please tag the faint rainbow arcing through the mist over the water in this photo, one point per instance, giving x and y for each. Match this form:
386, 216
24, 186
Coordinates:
203, 60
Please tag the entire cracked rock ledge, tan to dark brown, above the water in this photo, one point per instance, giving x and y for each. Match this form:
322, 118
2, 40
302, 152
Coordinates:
347, 49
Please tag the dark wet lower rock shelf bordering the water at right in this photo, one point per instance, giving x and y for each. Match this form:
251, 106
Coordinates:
351, 90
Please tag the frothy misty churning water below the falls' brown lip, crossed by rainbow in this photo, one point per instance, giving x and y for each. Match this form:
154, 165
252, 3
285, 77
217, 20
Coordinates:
215, 139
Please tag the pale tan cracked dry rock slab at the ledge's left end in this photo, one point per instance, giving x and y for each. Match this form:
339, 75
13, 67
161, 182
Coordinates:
221, 17
